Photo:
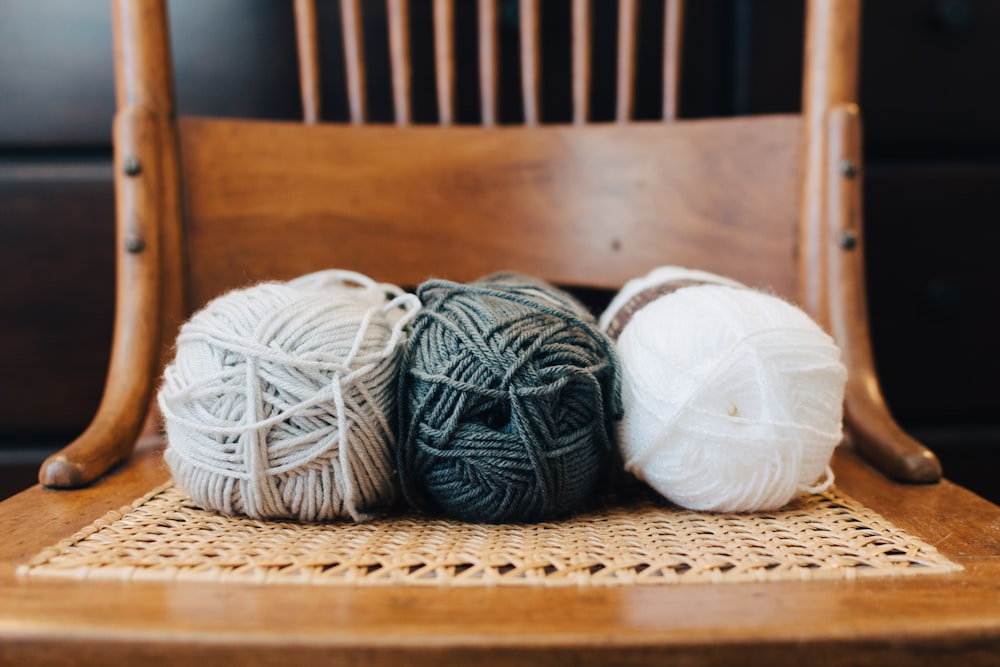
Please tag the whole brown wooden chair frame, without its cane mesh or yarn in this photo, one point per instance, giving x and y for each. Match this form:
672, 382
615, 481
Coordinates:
205, 205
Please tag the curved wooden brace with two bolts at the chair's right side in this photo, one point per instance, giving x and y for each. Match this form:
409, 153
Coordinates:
871, 426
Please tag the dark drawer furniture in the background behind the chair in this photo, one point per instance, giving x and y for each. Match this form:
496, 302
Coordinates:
928, 94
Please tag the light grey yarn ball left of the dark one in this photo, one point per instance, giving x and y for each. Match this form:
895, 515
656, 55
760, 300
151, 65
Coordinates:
280, 402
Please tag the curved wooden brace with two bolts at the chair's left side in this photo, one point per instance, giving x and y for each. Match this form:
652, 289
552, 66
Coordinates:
135, 351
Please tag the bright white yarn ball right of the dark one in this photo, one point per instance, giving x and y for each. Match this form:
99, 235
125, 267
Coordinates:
733, 397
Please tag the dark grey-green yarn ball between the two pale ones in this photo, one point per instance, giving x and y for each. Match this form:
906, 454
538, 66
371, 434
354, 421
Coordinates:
509, 393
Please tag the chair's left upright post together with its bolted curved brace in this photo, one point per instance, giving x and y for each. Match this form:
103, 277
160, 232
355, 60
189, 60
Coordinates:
150, 288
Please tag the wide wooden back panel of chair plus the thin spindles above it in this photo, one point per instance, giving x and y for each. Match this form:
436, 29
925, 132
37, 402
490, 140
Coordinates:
579, 204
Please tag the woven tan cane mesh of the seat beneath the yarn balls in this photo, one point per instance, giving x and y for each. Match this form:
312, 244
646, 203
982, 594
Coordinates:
164, 536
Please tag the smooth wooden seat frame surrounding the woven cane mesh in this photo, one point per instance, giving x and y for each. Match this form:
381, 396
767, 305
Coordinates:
936, 620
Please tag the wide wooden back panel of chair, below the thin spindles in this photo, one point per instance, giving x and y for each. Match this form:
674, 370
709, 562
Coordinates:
584, 206
